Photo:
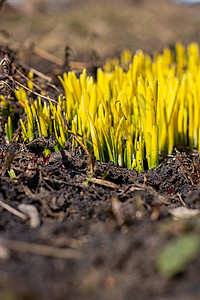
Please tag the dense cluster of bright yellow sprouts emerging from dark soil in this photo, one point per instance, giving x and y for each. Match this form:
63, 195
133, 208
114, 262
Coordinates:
139, 107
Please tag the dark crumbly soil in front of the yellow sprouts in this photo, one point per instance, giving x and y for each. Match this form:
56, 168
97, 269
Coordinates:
113, 233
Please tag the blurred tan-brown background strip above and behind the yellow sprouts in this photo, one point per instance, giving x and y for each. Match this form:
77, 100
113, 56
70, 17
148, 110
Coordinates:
93, 28
